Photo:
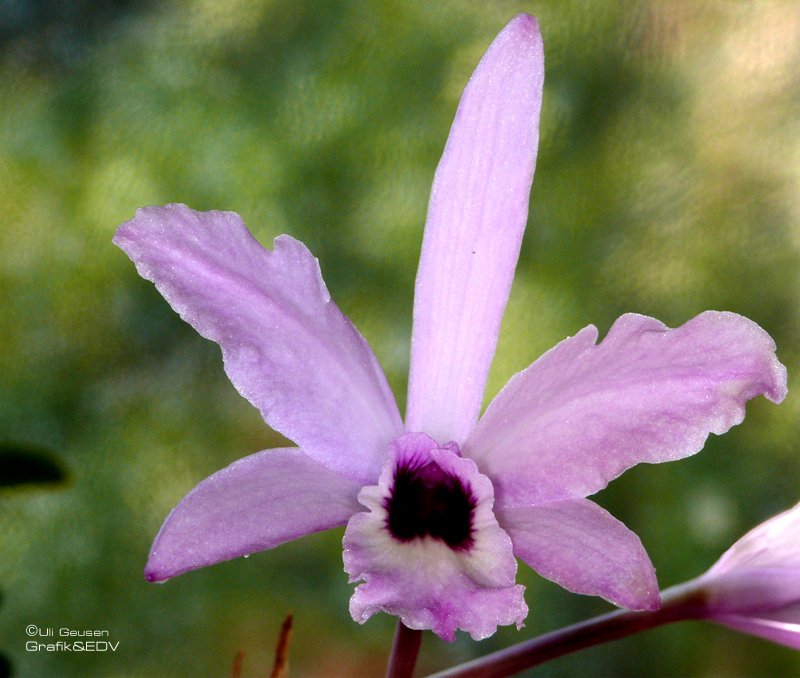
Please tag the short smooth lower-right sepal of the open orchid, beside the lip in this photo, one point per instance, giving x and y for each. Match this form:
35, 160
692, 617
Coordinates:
580, 546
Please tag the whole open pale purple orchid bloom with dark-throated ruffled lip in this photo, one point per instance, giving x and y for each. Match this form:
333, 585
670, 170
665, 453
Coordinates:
438, 508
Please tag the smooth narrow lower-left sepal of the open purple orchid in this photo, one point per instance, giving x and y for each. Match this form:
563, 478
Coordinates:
254, 504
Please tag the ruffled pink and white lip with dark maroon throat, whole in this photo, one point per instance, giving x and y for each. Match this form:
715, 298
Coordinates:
434, 567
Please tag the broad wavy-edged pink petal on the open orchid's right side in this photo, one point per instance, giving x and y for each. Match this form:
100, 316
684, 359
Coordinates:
584, 413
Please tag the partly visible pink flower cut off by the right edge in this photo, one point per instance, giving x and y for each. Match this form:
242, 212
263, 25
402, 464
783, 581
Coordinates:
755, 586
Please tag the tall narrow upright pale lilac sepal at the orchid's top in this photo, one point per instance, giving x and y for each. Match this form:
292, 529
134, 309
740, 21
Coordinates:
476, 217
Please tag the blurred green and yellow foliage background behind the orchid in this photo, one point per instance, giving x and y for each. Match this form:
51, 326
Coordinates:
667, 184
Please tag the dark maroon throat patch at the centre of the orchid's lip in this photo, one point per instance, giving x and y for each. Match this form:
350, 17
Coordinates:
426, 501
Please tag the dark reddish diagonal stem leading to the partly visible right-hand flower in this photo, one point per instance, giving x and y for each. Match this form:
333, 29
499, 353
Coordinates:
678, 603
